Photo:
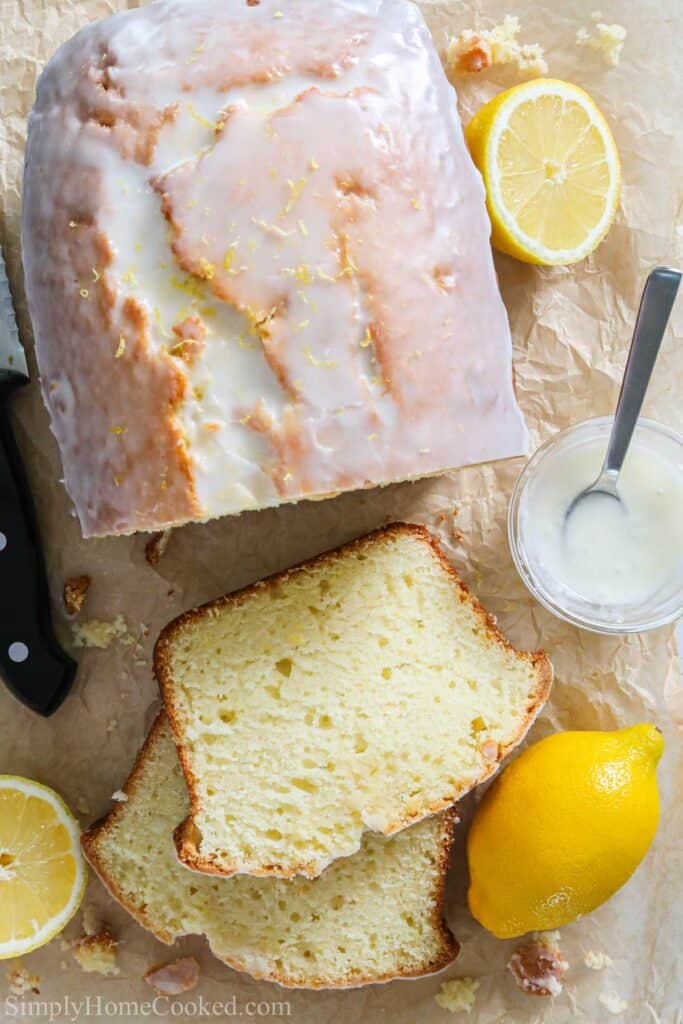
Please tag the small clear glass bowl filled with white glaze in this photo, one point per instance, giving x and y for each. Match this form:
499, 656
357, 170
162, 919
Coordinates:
609, 569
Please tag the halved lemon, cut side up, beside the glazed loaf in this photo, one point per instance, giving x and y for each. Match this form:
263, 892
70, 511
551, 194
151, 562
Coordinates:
551, 169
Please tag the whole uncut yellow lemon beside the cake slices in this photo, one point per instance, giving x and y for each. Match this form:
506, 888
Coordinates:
563, 829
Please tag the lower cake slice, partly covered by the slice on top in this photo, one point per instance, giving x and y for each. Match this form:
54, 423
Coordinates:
369, 918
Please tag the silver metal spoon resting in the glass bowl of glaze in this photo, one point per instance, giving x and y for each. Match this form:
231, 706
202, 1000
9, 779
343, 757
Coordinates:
656, 307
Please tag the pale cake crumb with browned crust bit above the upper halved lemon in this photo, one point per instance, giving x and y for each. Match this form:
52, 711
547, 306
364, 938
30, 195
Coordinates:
474, 52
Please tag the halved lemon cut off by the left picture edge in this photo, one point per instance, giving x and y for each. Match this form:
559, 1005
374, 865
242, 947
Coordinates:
42, 871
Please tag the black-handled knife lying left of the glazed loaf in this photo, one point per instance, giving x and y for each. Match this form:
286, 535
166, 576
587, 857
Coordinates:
32, 664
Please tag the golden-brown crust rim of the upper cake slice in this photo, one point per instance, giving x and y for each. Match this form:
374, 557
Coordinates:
188, 837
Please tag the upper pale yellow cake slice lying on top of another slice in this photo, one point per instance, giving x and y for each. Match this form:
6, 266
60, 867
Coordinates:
360, 692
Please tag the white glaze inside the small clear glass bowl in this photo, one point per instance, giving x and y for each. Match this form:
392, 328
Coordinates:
610, 554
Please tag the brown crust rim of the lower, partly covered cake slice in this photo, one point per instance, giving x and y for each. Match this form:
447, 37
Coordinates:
449, 948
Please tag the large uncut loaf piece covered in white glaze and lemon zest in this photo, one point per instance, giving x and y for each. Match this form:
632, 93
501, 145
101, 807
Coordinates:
258, 262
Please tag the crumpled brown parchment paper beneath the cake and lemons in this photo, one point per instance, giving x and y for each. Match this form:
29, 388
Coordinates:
572, 330
